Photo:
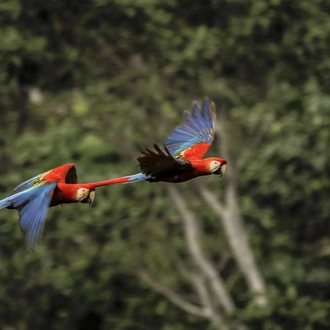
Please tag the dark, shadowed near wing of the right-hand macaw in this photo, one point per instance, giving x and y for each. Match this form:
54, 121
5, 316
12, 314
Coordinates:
161, 163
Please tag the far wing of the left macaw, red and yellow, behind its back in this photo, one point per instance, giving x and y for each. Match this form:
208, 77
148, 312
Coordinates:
65, 174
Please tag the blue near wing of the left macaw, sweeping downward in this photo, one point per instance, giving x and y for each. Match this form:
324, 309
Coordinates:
32, 205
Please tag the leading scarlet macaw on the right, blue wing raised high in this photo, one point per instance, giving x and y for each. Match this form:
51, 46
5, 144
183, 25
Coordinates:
181, 158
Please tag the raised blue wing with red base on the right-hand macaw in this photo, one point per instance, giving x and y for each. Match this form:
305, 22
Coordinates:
194, 137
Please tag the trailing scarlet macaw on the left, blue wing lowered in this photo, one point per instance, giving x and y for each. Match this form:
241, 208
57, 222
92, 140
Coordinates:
33, 197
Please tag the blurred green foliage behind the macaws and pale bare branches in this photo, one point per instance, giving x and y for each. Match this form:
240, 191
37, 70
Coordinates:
91, 82
